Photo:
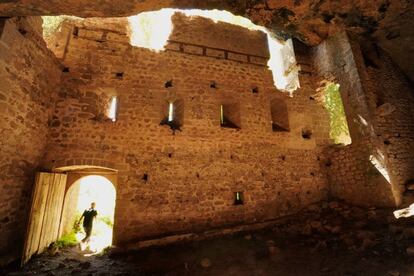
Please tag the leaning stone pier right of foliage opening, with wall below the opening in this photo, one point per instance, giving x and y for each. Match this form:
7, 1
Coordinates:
351, 173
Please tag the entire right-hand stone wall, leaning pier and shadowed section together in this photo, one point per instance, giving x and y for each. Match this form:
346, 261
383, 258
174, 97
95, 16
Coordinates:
377, 100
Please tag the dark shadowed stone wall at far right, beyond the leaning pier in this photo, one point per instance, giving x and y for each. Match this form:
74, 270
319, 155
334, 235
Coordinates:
391, 98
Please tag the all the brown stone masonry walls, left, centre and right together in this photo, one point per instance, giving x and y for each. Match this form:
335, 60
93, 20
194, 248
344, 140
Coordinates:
54, 110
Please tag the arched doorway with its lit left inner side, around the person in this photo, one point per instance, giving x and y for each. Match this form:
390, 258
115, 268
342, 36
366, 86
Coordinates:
79, 196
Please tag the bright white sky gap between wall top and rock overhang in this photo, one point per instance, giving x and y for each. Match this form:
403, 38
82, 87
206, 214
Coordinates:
152, 29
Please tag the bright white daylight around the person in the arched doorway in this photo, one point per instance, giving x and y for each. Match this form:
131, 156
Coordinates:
100, 190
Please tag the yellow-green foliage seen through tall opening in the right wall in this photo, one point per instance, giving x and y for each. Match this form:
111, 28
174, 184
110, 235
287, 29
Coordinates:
333, 103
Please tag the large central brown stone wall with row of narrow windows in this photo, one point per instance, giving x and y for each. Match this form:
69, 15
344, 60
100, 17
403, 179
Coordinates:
173, 182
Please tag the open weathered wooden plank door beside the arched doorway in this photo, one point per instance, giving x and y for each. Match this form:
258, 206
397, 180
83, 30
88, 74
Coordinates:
45, 213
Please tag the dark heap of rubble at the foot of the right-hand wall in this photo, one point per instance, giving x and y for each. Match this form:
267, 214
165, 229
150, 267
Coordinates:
335, 224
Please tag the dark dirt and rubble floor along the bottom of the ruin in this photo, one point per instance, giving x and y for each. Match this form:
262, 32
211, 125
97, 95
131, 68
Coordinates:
329, 239
